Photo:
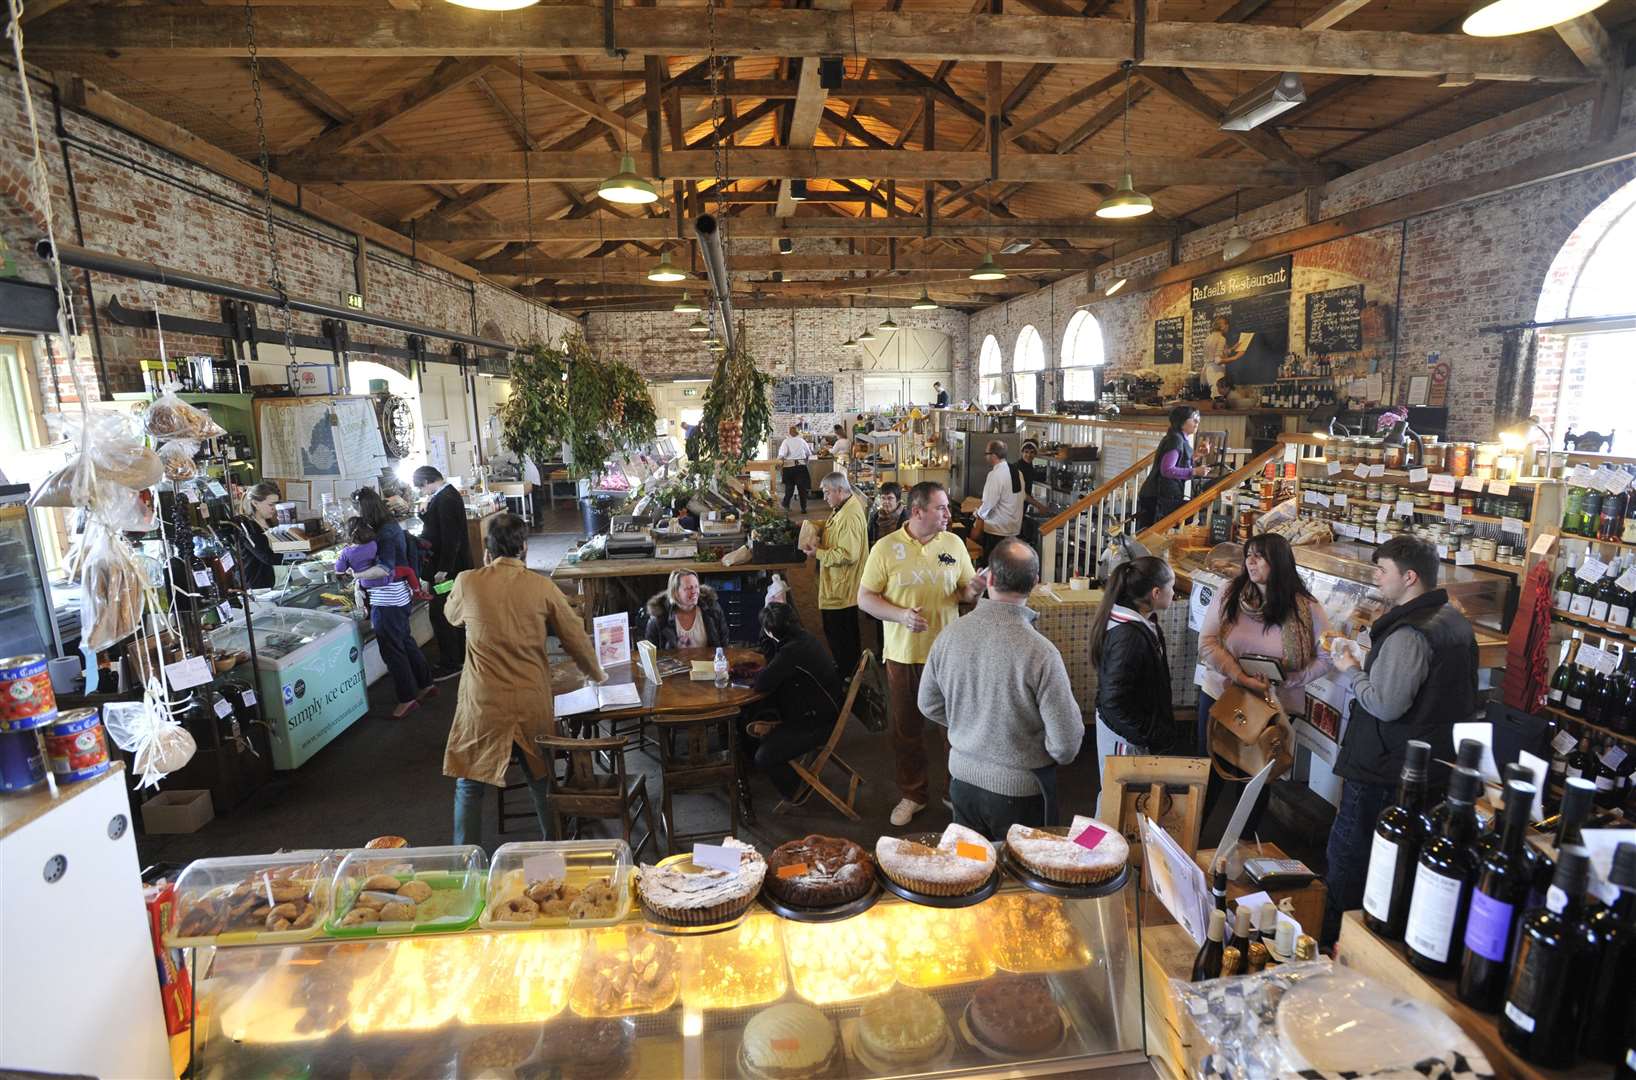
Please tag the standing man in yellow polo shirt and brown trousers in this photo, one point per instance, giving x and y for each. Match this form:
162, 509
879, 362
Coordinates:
915, 582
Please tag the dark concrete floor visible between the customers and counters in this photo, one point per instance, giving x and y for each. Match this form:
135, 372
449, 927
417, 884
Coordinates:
385, 778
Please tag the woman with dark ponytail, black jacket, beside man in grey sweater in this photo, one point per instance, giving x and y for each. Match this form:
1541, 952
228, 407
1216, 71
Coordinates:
1135, 711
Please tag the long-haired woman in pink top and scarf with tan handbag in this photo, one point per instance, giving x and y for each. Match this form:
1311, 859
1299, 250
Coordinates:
1265, 611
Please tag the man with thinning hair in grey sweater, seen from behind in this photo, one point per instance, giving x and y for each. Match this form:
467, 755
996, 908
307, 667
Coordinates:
1000, 688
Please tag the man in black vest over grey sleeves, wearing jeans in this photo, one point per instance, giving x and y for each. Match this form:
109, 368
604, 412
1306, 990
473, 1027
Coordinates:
1396, 700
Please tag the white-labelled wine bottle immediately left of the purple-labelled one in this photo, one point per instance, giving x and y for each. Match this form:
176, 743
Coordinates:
1444, 880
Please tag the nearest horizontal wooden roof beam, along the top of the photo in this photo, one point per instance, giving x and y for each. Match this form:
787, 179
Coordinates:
559, 30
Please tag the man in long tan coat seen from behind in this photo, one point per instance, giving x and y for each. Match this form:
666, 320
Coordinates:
506, 688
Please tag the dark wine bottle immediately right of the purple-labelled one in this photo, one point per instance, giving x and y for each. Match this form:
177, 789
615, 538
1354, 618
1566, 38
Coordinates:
1545, 997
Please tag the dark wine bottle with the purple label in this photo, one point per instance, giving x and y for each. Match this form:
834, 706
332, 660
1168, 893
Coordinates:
1496, 902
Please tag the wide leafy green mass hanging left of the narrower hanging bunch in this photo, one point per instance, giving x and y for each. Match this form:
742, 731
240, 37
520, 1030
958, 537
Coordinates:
569, 395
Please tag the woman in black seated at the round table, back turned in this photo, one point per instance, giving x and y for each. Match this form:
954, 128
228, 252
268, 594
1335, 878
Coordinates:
804, 693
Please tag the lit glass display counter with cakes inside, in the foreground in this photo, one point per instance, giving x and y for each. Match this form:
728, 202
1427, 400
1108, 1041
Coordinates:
897, 991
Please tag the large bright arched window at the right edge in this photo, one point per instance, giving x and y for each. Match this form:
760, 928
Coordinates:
1583, 371
